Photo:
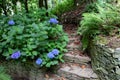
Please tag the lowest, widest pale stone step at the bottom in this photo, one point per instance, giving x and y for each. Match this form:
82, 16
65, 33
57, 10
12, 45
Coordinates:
75, 72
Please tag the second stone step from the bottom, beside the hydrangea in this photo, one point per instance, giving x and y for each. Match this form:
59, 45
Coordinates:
72, 58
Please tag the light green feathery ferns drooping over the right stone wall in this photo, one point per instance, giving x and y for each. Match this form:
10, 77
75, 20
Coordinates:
98, 23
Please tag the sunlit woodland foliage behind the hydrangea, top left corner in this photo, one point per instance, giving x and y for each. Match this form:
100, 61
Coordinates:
10, 7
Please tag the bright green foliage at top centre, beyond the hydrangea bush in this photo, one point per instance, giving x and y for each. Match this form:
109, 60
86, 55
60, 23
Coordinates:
63, 7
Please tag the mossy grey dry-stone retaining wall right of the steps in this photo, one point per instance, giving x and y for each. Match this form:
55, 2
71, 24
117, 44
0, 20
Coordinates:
105, 62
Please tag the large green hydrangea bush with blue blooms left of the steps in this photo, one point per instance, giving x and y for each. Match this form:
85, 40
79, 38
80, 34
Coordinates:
26, 38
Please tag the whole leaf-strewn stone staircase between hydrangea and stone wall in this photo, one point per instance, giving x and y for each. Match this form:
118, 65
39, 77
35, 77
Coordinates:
77, 65
